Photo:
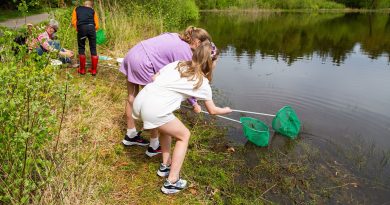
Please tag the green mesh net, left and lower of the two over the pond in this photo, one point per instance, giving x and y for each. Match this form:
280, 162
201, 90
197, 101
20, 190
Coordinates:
255, 131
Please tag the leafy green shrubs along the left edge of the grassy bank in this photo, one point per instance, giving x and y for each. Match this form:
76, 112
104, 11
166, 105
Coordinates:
29, 104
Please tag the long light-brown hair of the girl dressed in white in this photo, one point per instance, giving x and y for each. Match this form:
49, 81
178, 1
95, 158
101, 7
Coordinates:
202, 64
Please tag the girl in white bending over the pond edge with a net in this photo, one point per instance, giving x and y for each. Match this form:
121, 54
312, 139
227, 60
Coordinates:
157, 101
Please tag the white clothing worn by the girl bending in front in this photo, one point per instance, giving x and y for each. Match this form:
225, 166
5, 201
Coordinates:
155, 103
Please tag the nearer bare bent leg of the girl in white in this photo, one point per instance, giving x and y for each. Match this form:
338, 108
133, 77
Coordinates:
176, 129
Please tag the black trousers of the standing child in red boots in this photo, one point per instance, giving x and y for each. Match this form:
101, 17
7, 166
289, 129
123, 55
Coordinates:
84, 32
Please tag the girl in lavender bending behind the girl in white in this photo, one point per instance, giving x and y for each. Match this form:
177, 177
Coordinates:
143, 61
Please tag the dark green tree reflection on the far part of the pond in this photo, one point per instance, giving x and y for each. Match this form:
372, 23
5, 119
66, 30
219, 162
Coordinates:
293, 36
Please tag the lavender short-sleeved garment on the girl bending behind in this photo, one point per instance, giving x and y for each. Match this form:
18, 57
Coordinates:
147, 57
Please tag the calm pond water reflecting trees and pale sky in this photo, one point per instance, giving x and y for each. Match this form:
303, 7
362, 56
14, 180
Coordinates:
332, 68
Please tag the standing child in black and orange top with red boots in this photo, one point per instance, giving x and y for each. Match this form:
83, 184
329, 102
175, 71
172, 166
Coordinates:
86, 22
